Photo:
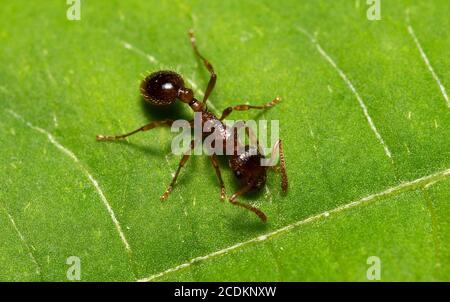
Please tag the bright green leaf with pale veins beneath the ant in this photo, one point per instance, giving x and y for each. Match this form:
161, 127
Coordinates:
365, 123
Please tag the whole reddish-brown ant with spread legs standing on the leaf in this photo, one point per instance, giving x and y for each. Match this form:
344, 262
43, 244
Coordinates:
162, 88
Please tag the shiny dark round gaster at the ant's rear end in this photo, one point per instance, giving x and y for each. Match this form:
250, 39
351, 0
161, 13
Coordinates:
161, 87
